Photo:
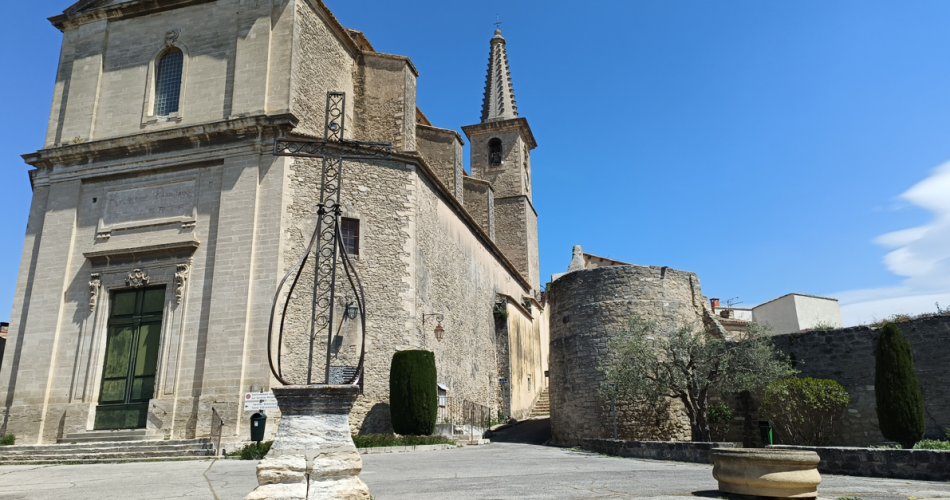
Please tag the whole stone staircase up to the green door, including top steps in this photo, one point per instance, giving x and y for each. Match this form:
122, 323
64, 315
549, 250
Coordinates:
108, 447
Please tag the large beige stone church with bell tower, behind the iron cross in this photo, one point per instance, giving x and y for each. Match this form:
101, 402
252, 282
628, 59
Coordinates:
161, 222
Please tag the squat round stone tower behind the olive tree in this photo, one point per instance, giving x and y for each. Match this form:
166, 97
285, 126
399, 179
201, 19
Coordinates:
586, 308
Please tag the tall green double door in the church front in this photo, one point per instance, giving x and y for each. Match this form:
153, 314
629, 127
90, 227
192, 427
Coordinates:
132, 344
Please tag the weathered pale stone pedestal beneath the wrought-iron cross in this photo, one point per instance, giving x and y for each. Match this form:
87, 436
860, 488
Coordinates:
313, 456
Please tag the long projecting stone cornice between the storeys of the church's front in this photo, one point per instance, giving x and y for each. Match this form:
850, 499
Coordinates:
147, 143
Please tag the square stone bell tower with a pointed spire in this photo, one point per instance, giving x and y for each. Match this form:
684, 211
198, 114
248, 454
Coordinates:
501, 155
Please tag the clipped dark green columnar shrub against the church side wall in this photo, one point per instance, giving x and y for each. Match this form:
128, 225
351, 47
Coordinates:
413, 397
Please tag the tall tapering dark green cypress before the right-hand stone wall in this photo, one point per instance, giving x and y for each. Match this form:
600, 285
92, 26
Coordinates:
900, 405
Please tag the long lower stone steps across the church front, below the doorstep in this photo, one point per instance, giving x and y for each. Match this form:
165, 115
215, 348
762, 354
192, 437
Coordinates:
108, 451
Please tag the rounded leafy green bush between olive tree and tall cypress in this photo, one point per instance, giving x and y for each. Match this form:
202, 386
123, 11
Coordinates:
804, 411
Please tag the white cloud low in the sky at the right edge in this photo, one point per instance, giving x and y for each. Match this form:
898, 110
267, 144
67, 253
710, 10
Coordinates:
920, 254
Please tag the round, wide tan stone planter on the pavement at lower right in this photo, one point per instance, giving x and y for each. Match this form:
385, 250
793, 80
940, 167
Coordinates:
767, 472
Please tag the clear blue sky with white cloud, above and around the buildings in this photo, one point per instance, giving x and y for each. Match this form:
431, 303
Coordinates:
770, 147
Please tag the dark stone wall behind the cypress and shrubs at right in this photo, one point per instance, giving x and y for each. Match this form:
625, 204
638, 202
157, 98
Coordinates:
847, 356
